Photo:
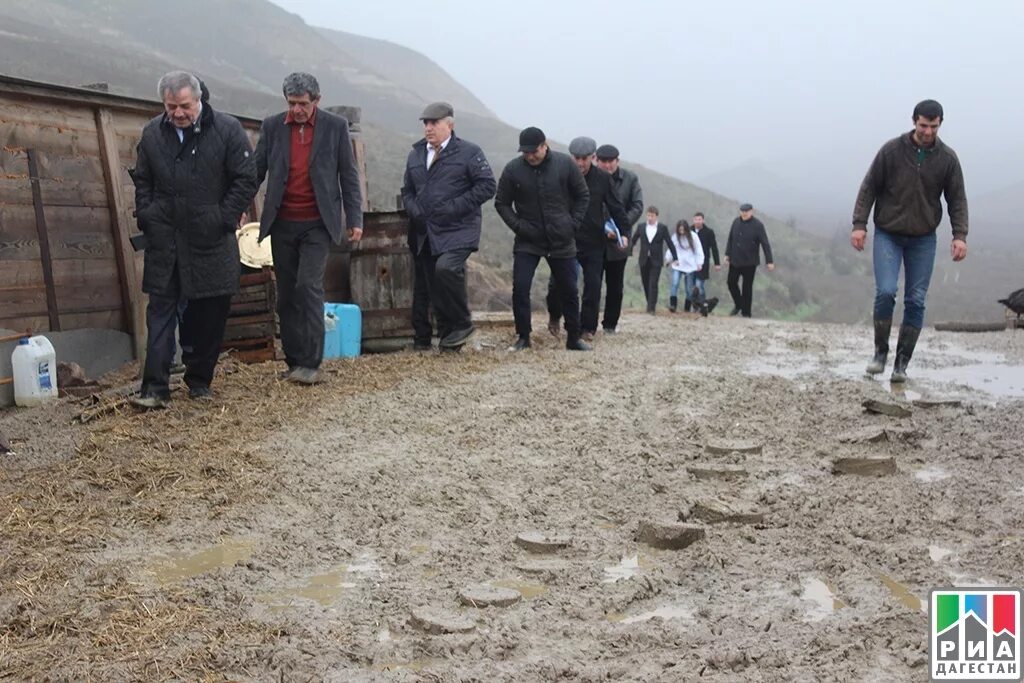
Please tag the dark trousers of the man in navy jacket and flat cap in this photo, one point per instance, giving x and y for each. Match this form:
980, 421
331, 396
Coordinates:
441, 282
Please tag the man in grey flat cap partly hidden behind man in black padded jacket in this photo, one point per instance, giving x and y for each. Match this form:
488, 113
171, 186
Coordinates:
591, 240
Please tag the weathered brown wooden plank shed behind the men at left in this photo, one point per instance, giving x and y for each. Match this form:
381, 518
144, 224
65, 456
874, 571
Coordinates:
67, 207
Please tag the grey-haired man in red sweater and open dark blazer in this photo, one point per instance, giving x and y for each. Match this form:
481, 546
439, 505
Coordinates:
307, 156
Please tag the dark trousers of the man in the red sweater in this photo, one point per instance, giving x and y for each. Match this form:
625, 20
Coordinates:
301, 251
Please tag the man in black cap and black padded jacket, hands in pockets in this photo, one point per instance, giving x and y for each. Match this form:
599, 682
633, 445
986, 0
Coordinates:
543, 198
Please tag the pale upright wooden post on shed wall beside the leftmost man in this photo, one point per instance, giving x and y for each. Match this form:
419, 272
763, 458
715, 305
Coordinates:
132, 291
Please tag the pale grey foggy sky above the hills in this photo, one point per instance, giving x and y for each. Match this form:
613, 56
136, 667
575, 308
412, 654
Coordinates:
809, 90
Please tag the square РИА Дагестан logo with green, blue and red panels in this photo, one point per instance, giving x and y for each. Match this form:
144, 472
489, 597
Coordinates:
975, 634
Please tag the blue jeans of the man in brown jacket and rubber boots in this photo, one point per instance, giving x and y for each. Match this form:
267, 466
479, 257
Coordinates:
917, 254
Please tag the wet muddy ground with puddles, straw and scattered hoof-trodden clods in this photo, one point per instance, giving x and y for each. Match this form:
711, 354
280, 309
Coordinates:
289, 533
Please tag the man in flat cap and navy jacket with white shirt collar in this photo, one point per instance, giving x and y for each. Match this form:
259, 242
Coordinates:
447, 182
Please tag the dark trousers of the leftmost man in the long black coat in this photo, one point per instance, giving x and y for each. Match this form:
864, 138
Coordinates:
202, 335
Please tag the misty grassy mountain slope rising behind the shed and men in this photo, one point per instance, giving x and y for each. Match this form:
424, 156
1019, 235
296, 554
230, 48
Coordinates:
243, 49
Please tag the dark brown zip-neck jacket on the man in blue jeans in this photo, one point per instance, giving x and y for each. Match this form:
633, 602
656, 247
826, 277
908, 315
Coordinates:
905, 186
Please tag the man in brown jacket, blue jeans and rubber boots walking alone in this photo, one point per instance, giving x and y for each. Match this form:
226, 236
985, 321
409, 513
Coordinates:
905, 185
